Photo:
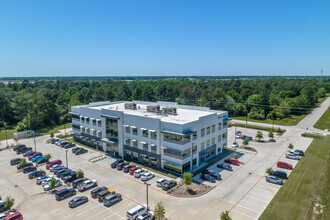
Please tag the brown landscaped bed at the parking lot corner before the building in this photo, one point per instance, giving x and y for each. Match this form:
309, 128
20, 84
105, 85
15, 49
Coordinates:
192, 190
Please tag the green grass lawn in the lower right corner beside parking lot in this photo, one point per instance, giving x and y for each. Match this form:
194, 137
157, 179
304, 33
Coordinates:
307, 188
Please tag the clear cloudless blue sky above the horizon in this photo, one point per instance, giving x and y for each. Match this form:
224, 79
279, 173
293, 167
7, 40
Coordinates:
164, 37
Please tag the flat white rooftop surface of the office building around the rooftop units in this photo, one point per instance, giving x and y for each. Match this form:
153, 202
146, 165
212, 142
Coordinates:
184, 113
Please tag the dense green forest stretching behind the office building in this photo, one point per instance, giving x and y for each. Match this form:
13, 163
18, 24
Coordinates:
40, 103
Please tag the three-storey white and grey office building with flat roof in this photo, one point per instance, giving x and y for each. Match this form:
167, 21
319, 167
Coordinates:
157, 134
